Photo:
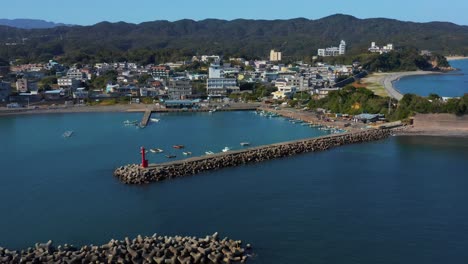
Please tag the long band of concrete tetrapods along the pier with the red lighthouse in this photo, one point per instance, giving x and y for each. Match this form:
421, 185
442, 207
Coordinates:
135, 174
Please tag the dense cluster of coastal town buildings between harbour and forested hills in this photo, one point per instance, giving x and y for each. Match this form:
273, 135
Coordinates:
211, 78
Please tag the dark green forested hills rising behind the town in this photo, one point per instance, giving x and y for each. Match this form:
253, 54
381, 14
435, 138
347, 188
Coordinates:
163, 40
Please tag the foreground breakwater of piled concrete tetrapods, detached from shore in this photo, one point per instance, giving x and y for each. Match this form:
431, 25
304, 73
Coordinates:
154, 249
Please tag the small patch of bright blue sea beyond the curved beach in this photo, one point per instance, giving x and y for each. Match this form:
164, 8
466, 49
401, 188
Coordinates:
453, 84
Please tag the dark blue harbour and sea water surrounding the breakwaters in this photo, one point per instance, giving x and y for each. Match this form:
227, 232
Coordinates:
401, 200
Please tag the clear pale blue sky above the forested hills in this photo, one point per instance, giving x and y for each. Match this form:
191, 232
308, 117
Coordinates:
87, 12
